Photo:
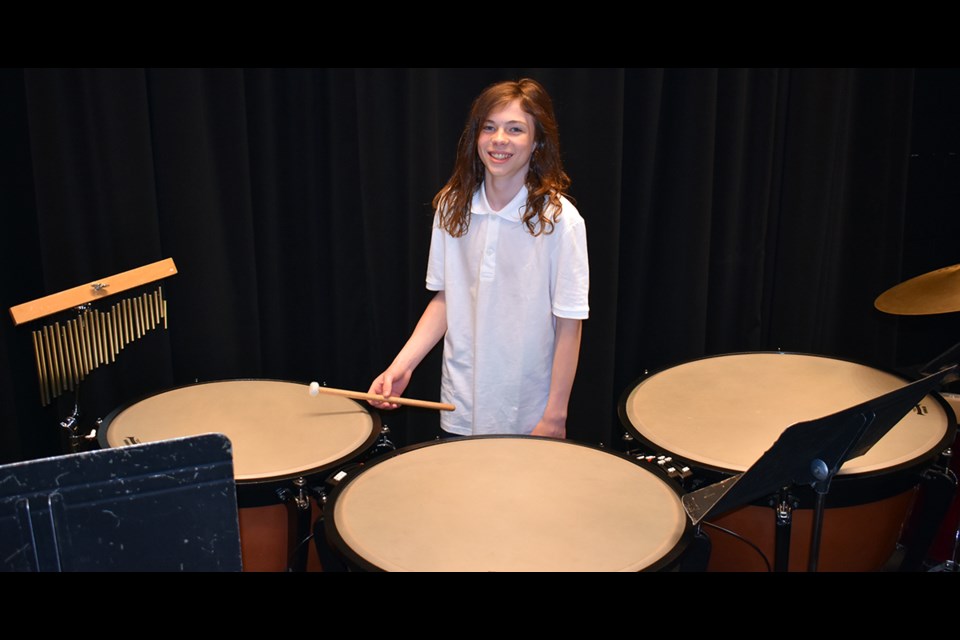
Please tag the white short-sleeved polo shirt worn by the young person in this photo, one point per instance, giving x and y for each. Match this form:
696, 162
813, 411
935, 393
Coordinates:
504, 288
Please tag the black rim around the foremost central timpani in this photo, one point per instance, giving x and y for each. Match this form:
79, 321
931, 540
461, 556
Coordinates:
356, 559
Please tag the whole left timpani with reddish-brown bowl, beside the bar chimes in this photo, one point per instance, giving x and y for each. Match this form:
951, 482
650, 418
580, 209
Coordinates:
285, 443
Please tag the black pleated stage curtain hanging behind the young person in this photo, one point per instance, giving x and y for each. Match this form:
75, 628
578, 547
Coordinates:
727, 210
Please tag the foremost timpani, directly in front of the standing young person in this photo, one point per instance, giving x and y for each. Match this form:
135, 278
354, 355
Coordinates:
507, 503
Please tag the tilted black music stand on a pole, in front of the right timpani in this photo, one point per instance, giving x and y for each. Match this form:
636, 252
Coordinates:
812, 452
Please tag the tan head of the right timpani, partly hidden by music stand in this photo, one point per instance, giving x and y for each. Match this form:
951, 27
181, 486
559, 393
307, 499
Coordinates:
724, 412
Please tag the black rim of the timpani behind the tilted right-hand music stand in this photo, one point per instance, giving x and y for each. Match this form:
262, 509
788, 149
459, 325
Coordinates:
913, 463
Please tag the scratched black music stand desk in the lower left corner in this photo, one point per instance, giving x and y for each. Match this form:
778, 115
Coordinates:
162, 506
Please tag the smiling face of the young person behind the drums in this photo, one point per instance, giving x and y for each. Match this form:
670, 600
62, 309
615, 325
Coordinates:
505, 144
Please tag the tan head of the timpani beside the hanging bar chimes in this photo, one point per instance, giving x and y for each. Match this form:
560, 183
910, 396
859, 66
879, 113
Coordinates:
277, 429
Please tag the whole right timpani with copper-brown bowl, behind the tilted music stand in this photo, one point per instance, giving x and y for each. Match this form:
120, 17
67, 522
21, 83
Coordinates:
720, 414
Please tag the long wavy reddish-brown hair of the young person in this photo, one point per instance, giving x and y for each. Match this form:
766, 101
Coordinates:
546, 180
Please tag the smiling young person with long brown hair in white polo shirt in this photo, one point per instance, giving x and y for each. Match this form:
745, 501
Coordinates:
508, 260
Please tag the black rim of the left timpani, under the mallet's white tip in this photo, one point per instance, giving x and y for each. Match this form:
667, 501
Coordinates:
259, 484
